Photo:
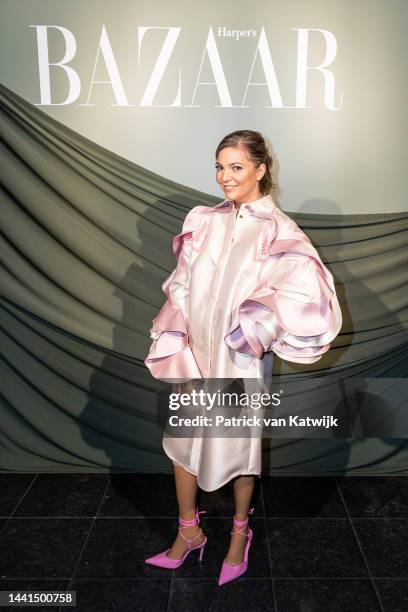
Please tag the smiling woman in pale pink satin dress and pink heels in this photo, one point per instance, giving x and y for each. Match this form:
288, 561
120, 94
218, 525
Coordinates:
248, 284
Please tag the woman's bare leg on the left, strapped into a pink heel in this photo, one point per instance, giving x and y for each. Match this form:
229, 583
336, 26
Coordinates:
186, 489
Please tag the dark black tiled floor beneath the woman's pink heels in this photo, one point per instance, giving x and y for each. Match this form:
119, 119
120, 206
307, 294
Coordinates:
320, 544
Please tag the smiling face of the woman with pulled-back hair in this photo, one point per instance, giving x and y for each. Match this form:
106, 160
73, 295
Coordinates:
237, 176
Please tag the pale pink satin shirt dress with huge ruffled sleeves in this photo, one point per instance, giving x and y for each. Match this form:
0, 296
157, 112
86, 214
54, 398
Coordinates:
246, 287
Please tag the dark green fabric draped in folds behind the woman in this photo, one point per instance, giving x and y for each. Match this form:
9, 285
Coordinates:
85, 246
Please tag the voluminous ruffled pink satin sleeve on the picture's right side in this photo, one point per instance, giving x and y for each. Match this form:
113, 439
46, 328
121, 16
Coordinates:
296, 314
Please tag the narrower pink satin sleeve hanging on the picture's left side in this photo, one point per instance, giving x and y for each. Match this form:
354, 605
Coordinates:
170, 356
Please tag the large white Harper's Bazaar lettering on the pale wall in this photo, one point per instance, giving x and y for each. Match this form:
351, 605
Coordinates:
163, 62
